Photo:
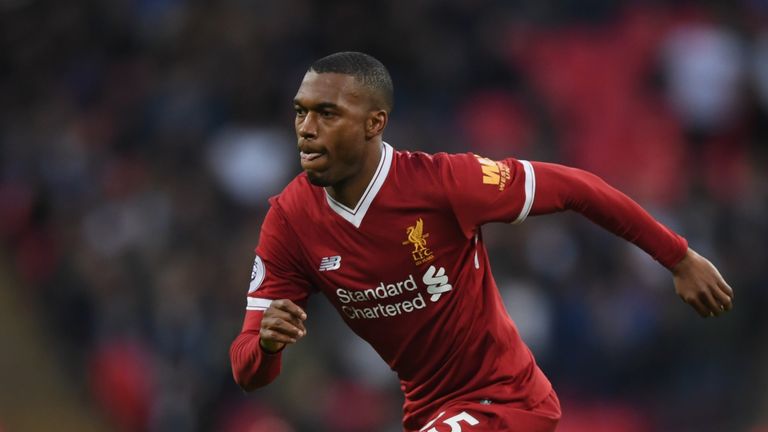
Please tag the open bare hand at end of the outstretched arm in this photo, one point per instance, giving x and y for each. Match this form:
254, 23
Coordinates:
700, 285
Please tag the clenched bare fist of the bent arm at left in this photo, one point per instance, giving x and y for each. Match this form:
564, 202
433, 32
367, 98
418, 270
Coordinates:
282, 324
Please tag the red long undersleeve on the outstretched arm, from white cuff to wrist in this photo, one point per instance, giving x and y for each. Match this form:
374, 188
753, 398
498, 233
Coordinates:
561, 188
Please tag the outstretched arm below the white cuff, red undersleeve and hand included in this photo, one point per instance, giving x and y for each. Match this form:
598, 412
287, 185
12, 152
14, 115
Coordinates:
696, 280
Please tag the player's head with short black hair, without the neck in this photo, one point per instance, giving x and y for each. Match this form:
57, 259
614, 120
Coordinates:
342, 107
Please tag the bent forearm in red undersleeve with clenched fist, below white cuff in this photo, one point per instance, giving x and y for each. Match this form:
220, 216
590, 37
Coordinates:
256, 352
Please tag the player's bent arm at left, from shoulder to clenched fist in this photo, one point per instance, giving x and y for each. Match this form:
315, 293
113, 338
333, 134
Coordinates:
274, 315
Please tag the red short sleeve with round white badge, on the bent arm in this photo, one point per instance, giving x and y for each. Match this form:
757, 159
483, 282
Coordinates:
276, 272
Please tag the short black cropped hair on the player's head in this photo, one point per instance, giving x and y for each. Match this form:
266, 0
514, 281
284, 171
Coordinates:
368, 71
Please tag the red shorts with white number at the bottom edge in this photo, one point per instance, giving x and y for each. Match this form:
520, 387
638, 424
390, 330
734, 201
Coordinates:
485, 416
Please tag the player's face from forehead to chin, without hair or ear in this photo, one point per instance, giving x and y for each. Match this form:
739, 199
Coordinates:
331, 111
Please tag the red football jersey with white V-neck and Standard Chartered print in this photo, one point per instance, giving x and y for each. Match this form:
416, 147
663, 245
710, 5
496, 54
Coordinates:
408, 272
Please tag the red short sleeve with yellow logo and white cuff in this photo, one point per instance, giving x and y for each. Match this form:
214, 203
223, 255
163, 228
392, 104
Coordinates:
482, 190
